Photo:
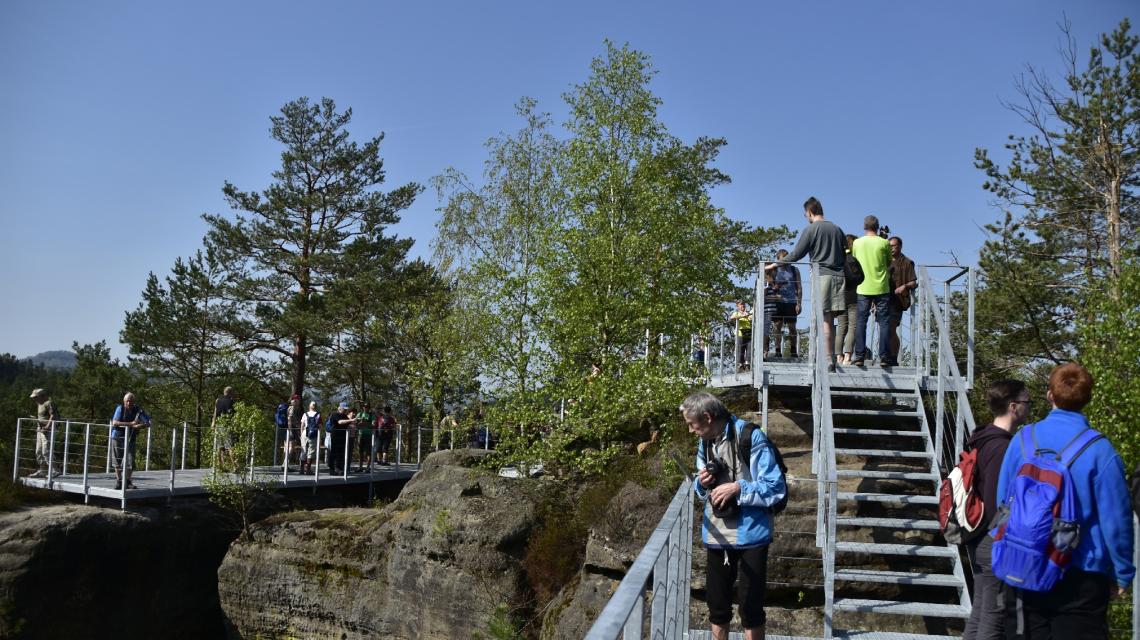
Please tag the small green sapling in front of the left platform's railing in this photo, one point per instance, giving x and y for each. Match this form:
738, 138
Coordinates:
235, 488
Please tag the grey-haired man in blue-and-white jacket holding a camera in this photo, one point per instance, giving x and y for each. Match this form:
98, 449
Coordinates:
738, 524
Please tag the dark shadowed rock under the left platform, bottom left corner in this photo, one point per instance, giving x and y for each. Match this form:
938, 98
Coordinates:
85, 572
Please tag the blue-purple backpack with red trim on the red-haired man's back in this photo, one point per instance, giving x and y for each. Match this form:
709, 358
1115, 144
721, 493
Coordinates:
1037, 528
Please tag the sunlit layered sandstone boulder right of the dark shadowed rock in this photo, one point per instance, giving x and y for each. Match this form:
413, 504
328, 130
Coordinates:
436, 563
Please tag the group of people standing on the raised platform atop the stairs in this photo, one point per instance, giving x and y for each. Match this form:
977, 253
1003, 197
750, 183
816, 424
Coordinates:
859, 278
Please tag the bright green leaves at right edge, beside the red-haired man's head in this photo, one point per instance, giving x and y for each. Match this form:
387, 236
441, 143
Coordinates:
1111, 351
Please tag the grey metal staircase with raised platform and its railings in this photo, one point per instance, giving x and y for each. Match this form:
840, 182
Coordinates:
882, 440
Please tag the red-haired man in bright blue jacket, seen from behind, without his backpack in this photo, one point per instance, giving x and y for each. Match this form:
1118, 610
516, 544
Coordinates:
1102, 566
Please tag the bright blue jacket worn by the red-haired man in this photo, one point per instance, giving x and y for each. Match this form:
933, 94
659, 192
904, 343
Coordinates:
1104, 505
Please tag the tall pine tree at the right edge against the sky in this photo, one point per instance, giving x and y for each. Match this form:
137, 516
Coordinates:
1070, 202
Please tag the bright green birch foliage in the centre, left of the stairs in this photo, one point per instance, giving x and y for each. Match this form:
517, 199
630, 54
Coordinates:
584, 266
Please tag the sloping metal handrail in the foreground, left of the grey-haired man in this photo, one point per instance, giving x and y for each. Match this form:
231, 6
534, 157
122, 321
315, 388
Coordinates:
667, 558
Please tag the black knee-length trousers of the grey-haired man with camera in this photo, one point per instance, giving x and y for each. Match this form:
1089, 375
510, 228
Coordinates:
748, 569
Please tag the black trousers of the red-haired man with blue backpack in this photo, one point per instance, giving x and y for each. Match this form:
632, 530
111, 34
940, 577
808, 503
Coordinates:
1076, 610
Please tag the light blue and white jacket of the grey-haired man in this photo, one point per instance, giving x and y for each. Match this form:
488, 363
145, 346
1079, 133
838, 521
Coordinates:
766, 489
